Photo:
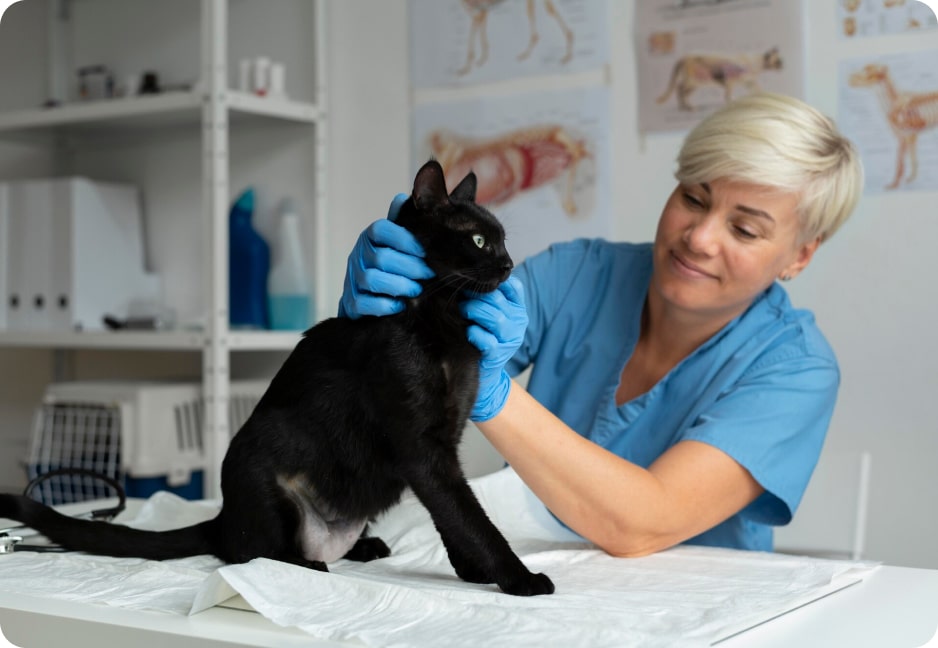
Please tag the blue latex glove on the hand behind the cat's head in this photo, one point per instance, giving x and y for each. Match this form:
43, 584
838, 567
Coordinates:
383, 268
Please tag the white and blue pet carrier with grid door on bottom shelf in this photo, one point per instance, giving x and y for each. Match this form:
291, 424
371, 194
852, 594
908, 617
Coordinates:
146, 435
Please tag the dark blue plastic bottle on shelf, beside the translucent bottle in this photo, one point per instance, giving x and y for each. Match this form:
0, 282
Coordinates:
248, 267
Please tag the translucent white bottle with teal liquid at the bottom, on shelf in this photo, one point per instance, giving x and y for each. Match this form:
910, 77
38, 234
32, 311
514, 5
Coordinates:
288, 282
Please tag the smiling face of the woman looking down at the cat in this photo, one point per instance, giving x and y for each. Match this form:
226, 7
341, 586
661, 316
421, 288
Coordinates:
720, 244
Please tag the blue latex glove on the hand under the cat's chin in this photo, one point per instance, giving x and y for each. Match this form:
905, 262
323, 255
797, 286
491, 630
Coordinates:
499, 320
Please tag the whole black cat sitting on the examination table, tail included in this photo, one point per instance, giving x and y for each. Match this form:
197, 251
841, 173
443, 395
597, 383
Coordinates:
360, 410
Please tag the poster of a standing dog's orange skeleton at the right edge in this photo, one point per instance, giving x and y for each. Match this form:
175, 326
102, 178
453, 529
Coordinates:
889, 109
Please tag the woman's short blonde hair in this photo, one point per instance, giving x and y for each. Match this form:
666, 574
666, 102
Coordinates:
777, 141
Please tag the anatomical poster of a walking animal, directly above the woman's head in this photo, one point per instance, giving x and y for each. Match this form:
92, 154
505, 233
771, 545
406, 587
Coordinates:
695, 55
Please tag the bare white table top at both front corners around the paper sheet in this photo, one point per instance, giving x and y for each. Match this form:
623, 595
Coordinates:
895, 607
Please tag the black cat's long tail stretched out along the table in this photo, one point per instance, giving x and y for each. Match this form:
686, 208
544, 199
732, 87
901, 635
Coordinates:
106, 539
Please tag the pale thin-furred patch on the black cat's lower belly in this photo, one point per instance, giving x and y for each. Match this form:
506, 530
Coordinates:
322, 534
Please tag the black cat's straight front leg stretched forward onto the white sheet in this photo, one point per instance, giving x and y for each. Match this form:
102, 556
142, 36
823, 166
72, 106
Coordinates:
477, 550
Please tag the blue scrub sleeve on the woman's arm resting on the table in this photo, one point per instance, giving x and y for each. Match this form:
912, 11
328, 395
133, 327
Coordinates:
773, 422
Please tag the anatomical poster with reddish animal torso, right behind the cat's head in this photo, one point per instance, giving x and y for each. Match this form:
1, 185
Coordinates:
541, 160
